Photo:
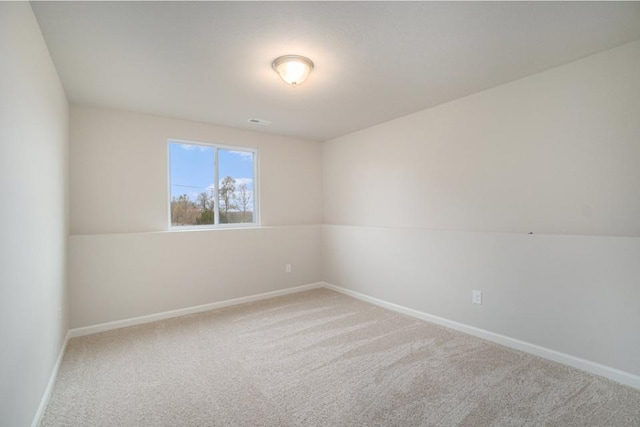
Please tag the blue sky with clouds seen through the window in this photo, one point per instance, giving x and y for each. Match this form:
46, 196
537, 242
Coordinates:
192, 168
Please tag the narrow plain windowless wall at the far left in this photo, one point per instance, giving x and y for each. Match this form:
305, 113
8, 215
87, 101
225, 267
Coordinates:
33, 214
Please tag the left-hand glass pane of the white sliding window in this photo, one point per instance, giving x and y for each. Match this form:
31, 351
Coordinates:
192, 180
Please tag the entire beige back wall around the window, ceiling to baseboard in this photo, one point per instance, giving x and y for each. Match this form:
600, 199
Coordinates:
123, 262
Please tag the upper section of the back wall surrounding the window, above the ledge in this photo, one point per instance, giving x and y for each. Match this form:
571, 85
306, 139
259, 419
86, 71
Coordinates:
118, 169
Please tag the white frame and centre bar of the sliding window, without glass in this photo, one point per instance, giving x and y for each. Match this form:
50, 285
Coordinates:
217, 226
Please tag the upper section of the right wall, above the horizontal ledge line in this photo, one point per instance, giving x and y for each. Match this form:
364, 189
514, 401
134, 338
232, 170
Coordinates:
557, 152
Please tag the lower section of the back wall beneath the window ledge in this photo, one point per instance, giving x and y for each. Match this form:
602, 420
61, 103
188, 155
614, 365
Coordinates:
121, 276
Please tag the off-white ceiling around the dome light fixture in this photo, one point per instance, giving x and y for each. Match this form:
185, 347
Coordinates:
374, 61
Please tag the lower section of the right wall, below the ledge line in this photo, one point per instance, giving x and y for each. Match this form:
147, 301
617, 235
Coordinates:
572, 294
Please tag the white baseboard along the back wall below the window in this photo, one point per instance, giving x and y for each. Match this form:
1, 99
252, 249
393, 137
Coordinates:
103, 327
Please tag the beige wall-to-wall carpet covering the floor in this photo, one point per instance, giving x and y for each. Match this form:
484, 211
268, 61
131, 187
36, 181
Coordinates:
320, 358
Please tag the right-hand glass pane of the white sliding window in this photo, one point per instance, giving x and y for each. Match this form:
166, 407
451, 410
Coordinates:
236, 187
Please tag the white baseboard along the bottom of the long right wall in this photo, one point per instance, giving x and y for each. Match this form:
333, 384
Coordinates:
617, 375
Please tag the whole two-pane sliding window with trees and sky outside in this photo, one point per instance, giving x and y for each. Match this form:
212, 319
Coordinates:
211, 185
